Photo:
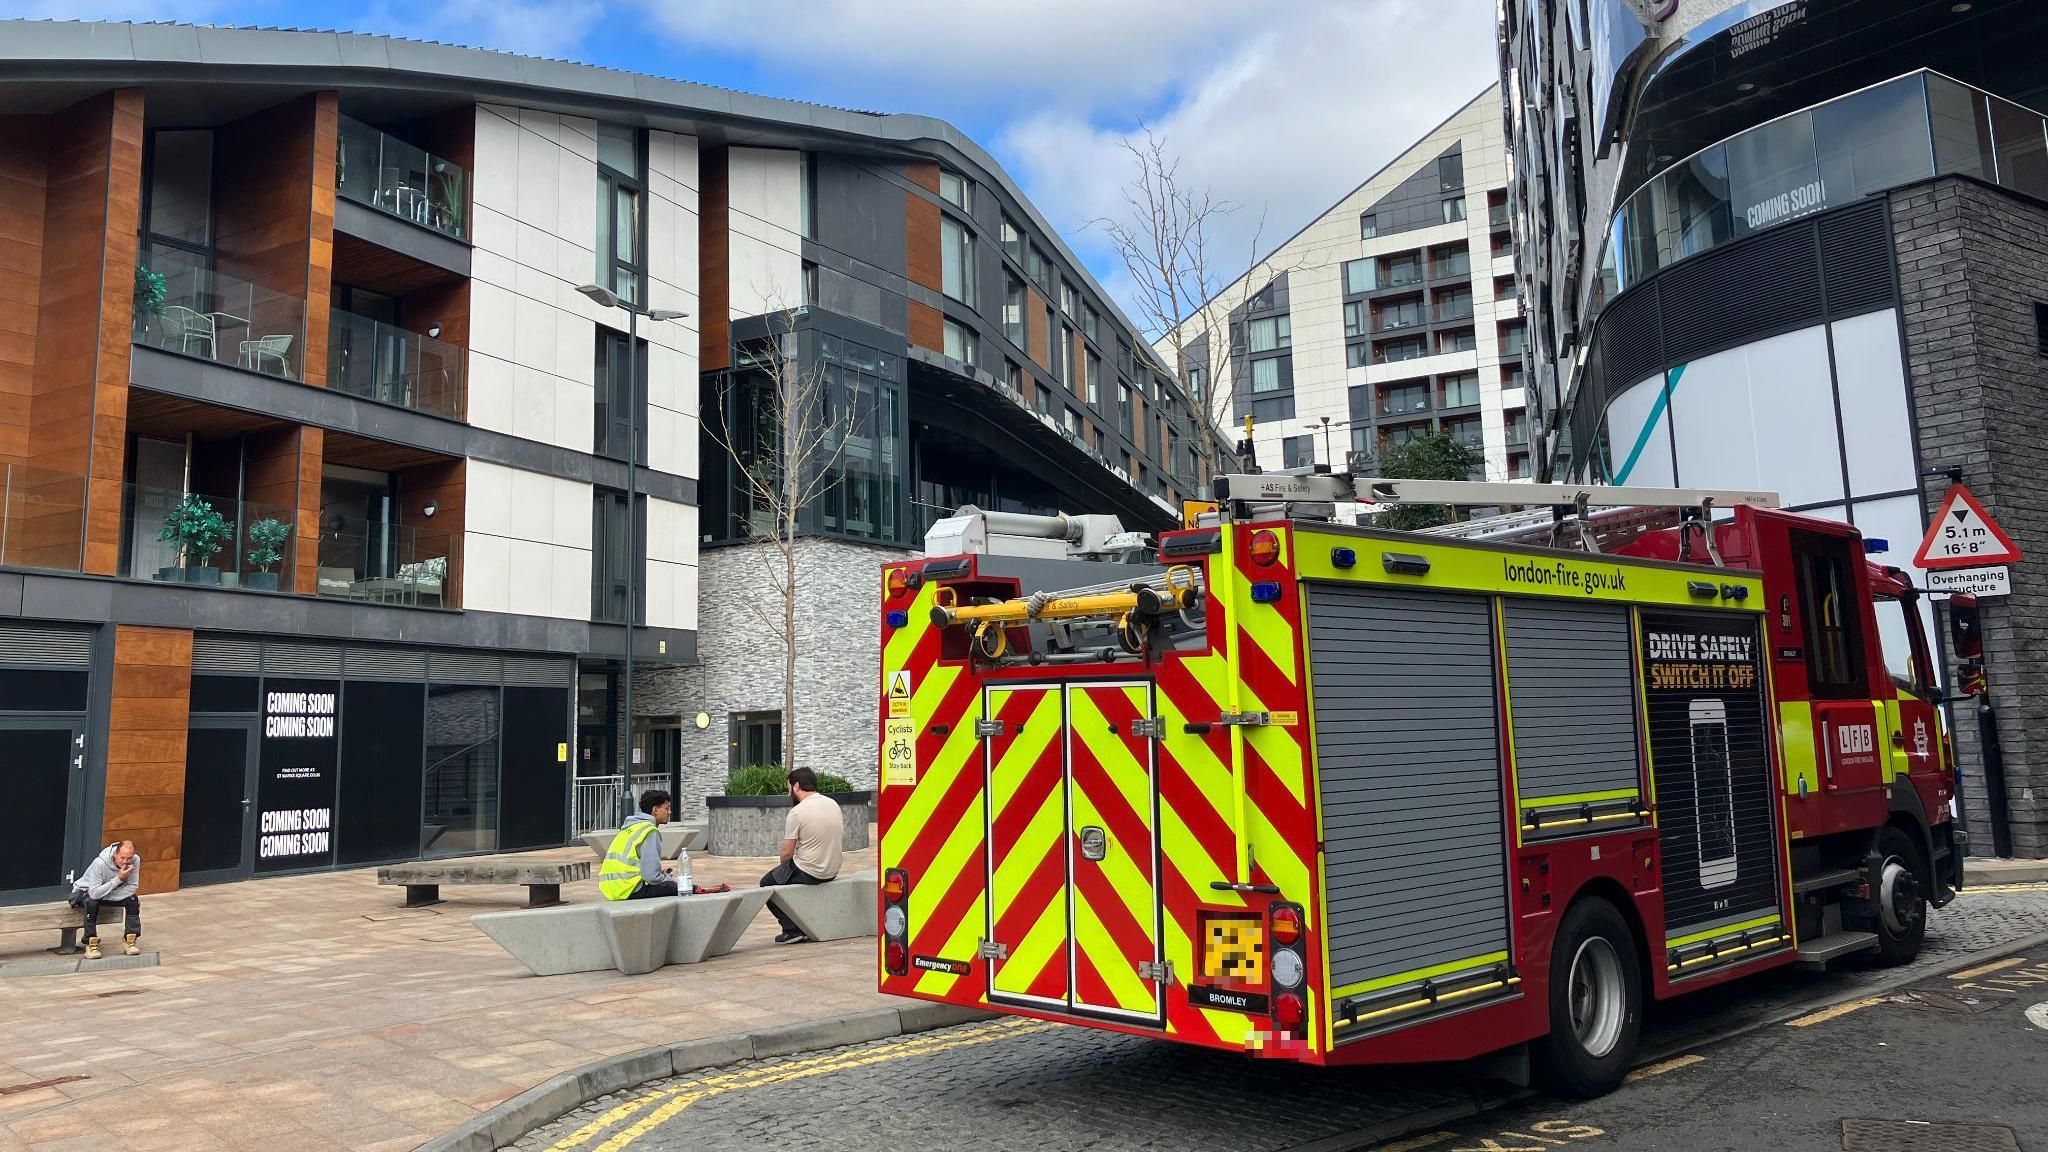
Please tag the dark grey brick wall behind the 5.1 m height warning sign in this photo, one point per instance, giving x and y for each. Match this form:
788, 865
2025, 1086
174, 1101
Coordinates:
1973, 261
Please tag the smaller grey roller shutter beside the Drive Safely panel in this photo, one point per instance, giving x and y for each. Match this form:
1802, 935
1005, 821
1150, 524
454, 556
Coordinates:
1572, 696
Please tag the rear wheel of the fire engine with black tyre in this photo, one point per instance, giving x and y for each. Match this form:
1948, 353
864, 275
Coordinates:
1596, 1003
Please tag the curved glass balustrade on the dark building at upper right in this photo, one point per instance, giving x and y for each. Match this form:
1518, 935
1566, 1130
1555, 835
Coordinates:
1887, 136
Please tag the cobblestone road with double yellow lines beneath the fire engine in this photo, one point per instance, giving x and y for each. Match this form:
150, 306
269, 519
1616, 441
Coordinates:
1015, 1085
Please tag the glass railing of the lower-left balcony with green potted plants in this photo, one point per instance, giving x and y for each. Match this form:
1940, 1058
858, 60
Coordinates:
189, 538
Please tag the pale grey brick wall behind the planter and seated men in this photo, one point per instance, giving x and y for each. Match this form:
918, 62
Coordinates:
740, 661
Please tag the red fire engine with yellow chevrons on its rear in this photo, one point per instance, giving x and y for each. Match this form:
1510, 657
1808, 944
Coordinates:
1357, 796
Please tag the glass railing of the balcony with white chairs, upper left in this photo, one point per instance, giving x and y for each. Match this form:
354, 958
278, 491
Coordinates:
222, 319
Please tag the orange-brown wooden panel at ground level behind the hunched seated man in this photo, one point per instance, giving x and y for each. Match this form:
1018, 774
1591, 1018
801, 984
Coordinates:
148, 721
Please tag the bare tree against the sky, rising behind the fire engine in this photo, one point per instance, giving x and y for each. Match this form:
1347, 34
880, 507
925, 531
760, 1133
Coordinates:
1166, 243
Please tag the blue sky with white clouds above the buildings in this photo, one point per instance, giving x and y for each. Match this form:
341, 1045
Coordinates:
1277, 108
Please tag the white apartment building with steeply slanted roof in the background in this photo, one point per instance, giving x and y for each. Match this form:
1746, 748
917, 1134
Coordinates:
1394, 315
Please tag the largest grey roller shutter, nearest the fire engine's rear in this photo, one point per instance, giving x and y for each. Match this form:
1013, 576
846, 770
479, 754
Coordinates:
1410, 782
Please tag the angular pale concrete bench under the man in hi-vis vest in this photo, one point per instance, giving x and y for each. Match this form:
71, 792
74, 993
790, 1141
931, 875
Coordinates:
628, 936
